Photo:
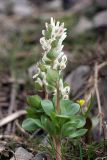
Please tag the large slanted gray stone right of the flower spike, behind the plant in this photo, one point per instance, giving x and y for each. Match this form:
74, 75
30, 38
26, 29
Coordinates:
77, 78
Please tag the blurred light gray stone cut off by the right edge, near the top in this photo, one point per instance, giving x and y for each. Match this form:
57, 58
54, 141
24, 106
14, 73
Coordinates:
100, 20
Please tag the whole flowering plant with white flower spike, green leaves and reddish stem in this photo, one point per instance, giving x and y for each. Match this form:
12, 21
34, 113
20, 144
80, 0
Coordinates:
60, 117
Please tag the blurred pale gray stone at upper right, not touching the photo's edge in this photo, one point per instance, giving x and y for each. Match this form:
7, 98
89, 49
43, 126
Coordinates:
83, 25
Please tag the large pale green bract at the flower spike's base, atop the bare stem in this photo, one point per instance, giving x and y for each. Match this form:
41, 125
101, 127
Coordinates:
52, 76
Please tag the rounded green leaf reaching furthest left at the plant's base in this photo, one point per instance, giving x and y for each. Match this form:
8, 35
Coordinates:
29, 124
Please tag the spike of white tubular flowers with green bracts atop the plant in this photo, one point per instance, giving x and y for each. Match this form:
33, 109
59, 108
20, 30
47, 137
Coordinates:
53, 56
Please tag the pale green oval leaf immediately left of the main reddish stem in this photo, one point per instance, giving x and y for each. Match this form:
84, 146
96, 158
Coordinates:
47, 106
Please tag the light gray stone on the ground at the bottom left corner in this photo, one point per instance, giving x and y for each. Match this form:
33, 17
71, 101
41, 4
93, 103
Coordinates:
22, 154
